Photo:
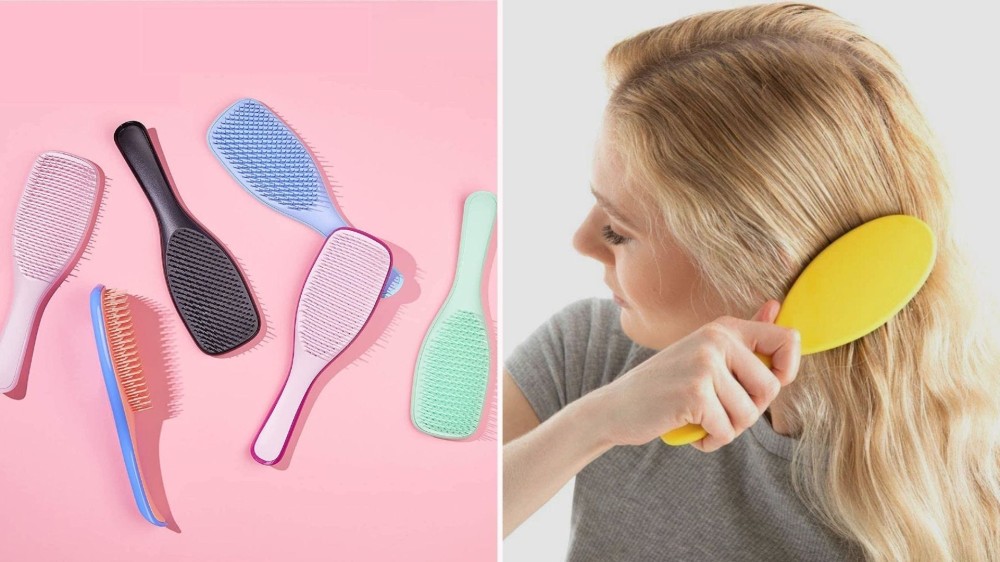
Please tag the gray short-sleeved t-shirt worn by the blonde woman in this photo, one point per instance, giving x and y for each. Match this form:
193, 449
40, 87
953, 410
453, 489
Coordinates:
655, 502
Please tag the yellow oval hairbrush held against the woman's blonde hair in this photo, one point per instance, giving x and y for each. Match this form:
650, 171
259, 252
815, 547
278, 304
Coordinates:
854, 286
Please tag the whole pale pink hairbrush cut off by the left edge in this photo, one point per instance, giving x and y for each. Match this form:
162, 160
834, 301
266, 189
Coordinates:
54, 220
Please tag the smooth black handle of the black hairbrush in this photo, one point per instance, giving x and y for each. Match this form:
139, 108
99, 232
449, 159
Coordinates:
134, 143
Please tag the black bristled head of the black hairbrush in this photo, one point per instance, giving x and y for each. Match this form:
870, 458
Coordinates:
209, 292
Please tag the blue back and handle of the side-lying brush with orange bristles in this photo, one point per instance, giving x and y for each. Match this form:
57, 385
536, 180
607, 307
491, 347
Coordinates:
118, 409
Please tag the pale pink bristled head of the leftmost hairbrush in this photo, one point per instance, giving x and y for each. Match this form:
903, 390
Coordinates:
54, 215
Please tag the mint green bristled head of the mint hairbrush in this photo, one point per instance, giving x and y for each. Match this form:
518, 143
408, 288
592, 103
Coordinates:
452, 374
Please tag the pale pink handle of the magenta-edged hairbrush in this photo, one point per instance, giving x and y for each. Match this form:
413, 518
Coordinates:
272, 440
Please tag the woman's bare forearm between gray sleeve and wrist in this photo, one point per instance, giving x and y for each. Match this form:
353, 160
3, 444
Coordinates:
538, 464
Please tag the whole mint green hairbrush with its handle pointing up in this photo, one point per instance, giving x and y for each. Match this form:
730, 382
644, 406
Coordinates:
453, 367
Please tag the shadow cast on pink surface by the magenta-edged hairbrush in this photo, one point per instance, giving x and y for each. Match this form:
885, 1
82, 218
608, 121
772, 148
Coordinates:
380, 326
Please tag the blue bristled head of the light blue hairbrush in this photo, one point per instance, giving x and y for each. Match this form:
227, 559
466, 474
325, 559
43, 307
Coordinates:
270, 157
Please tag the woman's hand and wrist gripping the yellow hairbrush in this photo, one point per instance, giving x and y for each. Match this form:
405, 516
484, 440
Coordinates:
711, 378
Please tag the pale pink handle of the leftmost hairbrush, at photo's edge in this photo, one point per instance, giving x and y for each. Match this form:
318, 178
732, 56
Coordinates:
28, 295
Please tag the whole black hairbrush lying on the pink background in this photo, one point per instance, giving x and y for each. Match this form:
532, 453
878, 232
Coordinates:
206, 286
